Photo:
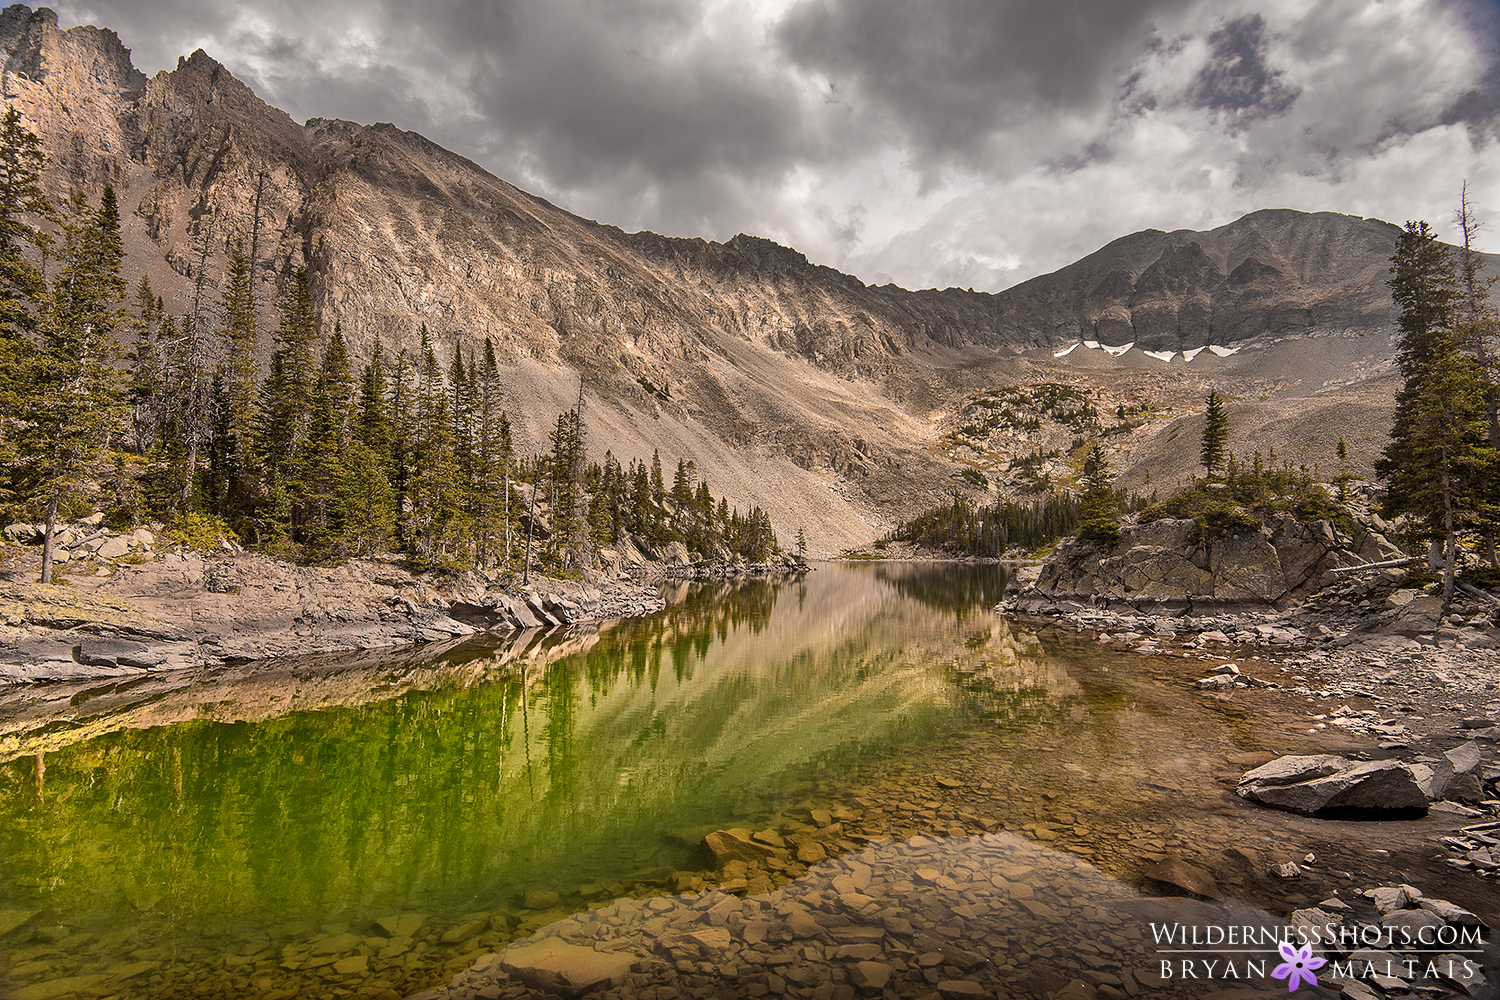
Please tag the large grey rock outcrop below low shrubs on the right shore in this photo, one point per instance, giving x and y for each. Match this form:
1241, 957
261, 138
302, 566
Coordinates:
1166, 563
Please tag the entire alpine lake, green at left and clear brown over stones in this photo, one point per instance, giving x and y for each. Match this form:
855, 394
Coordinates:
373, 825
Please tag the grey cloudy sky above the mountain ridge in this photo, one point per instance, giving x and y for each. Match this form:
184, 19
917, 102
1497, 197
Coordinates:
934, 143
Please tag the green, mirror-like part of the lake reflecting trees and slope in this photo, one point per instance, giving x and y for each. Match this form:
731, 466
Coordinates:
172, 824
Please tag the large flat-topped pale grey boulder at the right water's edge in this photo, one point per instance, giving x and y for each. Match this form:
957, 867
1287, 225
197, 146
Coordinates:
1330, 785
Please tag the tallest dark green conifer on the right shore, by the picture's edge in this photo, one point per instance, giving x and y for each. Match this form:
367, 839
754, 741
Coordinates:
1439, 464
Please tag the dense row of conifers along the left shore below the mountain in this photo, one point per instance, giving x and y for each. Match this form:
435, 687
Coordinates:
310, 458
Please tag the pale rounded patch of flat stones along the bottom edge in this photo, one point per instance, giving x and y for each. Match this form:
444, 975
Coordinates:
994, 915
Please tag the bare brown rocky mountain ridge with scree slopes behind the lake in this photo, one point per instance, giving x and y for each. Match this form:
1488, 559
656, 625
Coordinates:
791, 385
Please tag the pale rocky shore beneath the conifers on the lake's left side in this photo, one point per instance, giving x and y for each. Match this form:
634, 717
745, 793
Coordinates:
131, 603
